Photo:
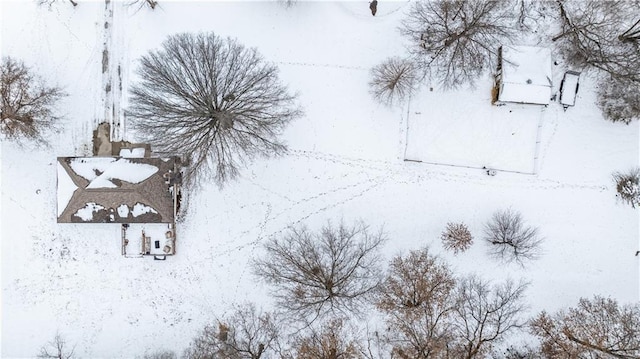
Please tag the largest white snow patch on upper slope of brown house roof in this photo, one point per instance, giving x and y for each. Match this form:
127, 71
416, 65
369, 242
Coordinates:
101, 171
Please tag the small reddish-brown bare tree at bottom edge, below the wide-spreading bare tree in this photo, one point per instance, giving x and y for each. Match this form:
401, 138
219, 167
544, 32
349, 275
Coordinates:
334, 340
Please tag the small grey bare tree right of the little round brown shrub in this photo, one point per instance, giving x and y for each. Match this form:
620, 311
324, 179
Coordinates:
510, 240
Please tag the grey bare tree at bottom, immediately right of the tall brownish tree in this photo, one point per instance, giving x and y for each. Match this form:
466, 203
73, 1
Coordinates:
484, 314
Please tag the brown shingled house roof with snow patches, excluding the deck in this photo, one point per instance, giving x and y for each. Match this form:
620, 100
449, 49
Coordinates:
114, 189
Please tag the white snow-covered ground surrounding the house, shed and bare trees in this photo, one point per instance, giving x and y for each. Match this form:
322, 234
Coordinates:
346, 160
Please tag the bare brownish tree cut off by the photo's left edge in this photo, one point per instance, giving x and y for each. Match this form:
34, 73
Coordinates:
27, 107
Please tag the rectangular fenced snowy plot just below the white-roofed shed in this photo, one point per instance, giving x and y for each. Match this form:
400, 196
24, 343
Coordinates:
462, 128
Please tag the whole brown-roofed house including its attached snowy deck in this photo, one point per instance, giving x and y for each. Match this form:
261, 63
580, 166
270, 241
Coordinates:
139, 193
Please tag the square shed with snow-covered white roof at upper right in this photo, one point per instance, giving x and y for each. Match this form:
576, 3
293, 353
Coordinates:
524, 75
